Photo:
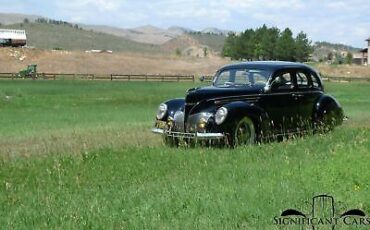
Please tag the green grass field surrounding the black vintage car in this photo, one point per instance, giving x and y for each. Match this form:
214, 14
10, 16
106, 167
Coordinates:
79, 154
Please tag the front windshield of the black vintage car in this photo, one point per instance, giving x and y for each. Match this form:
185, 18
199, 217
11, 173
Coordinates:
241, 77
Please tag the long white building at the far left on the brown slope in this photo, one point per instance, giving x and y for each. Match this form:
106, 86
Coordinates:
9, 37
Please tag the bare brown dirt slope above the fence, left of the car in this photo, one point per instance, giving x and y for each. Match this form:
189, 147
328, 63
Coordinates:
14, 59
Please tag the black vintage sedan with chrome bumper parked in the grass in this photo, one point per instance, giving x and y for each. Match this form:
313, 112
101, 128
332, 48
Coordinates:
250, 102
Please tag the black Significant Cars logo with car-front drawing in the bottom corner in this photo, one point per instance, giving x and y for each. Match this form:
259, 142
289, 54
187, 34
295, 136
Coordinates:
322, 216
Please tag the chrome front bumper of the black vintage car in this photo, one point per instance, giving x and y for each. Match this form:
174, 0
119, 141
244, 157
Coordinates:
204, 136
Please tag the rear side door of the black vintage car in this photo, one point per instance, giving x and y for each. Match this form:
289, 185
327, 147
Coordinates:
308, 91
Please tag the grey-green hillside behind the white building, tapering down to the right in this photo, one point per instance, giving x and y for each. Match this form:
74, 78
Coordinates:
49, 36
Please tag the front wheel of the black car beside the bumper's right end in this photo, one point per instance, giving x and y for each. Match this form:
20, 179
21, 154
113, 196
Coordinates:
244, 133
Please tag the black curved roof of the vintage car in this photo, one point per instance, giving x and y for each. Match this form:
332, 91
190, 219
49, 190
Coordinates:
268, 65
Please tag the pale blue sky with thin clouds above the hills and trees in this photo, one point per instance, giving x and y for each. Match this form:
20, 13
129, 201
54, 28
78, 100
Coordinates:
346, 22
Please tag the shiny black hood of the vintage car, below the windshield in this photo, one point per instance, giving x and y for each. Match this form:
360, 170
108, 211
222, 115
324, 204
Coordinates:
211, 92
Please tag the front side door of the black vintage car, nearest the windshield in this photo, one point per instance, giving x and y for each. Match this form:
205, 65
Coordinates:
280, 103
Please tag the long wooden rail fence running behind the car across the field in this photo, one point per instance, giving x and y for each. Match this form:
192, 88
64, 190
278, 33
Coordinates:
151, 77
